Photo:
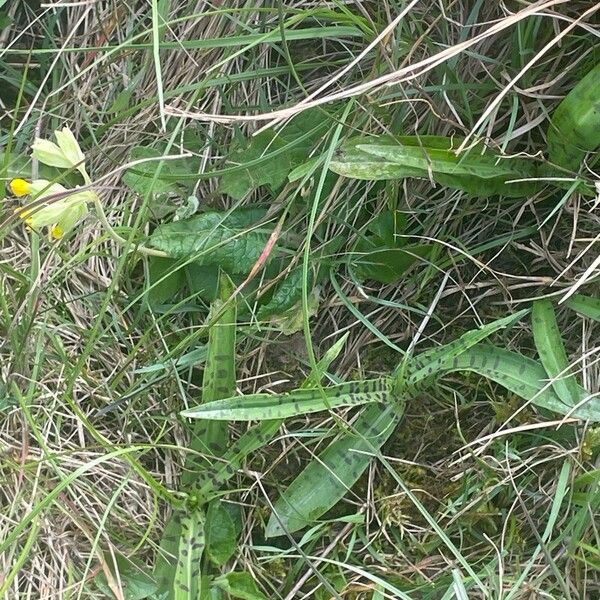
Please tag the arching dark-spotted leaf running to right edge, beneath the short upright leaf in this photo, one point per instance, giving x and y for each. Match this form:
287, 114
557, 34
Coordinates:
524, 377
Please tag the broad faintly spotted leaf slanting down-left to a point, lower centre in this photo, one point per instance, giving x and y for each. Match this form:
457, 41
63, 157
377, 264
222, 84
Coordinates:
327, 479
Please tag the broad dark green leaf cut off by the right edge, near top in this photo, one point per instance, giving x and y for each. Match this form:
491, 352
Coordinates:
574, 127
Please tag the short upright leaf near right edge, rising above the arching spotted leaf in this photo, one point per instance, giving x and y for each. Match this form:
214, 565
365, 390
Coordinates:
550, 347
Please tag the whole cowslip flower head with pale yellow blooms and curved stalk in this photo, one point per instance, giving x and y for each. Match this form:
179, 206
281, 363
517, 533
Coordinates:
64, 208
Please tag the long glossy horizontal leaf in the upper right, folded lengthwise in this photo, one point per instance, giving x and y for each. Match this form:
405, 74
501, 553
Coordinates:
475, 172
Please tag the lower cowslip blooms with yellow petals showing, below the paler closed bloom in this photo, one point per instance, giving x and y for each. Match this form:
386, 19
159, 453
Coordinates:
60, 215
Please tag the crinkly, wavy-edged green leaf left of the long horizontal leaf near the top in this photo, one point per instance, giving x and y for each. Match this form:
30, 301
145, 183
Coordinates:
271, 155
